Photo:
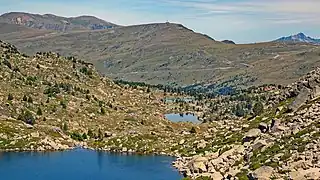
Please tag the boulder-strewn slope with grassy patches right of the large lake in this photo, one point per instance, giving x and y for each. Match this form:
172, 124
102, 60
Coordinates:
282, 142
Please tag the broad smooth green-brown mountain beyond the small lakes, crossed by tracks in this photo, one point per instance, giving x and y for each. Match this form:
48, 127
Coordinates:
172, 54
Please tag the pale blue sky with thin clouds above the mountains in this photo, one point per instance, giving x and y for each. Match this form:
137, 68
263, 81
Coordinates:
243, 21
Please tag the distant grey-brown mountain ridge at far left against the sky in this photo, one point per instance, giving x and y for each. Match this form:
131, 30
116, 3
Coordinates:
56, 23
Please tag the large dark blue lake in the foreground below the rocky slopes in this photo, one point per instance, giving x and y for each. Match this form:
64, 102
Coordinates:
85, 165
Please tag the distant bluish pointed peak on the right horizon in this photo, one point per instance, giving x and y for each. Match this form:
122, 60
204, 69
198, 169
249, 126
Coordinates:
300, 37
